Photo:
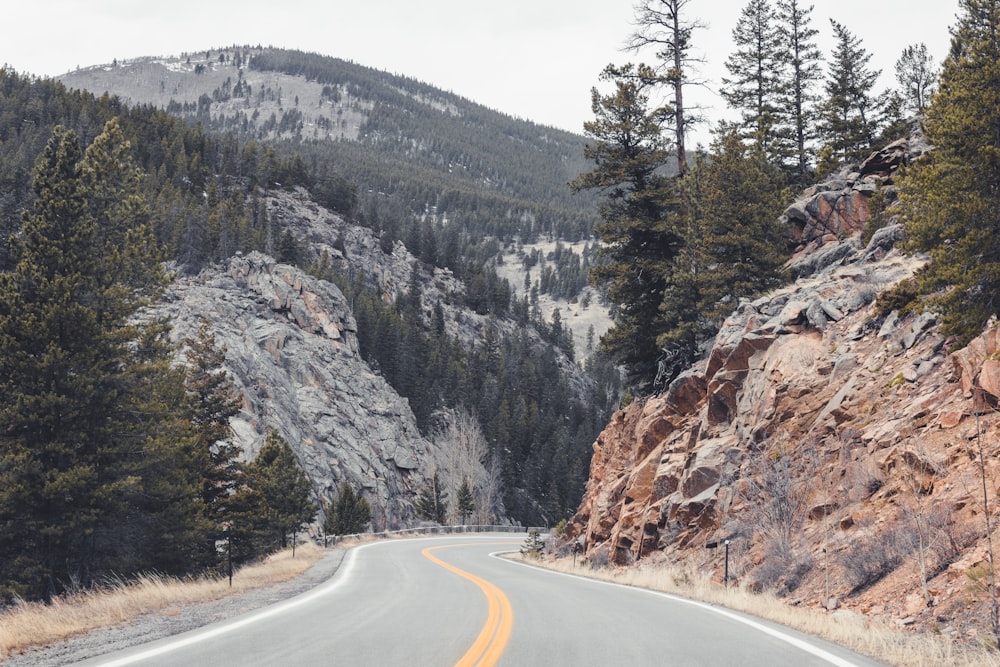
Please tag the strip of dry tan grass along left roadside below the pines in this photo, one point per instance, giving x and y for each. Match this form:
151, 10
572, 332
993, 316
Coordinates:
35, 623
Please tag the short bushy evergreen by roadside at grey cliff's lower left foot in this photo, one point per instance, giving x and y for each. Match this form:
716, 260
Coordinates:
283, 489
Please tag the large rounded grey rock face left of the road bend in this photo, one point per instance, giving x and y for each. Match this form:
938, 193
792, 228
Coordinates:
292, 350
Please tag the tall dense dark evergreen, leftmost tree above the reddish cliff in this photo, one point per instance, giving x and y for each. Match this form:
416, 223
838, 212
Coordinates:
638, 214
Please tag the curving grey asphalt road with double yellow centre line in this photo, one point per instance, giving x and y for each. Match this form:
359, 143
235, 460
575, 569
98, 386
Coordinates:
445, 601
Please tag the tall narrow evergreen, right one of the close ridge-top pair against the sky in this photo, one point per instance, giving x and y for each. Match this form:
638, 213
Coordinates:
804, 71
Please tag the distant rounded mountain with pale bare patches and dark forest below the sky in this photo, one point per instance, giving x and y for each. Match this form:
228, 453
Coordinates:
462, 187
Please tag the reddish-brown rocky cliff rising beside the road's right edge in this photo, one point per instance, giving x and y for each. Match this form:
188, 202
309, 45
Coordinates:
838, 452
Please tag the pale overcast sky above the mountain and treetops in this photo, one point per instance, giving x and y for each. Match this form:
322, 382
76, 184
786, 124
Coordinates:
533, 59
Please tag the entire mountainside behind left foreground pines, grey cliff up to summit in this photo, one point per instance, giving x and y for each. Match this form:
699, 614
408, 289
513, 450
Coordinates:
405, 221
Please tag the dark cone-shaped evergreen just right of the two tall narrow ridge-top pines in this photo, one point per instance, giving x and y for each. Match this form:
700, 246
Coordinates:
852, 113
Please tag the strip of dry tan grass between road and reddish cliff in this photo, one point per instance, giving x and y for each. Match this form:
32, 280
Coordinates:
850, 630
